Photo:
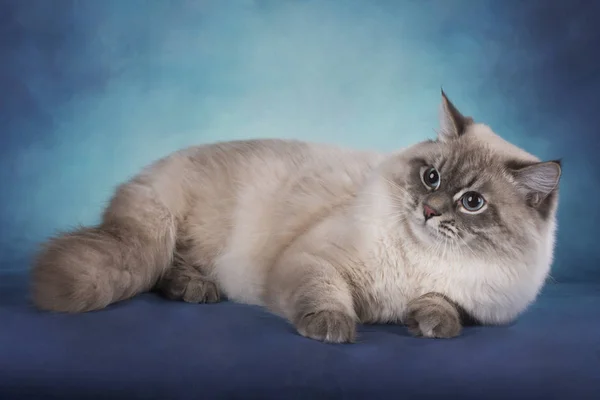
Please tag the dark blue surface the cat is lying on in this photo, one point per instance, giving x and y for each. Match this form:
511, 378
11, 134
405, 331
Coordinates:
157, 349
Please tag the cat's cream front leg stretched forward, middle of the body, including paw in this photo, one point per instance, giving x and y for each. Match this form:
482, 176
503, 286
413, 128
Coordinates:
314, 296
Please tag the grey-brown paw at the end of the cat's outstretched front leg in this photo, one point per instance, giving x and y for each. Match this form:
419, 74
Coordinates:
328, 326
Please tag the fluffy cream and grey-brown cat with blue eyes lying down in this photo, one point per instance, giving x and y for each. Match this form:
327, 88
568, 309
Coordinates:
446, 232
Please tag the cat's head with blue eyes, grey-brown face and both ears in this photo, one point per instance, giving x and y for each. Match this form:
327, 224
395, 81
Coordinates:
470, 191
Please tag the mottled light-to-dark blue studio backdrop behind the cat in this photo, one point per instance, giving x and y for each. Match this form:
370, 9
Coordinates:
91, 91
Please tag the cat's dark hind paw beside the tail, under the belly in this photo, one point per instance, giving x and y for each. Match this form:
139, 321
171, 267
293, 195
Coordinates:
189, 286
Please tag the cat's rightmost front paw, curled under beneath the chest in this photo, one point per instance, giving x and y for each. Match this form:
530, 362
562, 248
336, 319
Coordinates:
433, 315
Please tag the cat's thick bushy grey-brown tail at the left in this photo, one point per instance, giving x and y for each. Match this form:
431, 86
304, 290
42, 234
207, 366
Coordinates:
92, 267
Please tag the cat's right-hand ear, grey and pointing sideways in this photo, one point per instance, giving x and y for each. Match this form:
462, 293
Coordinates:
537, 181
